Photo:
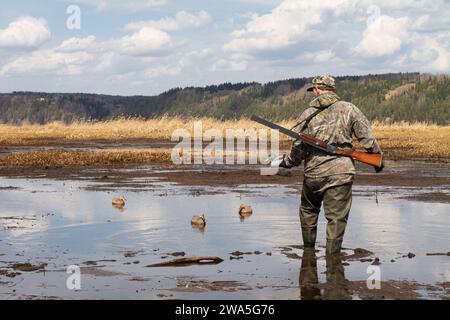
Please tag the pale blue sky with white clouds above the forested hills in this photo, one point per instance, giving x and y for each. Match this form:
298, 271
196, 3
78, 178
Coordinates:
149, 46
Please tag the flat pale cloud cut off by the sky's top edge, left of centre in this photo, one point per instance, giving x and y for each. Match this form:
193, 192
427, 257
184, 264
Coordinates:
124, 6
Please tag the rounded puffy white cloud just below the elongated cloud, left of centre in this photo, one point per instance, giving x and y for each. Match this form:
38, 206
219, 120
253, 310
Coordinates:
146, 41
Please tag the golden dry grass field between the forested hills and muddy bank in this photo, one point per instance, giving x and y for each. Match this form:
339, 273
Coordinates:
399, 141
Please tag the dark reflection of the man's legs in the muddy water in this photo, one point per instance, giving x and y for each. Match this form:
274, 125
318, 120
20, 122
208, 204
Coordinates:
337, 286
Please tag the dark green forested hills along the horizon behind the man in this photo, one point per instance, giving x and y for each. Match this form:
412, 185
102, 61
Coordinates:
410, 97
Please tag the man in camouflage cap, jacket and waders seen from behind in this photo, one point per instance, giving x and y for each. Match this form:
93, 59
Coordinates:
328, 178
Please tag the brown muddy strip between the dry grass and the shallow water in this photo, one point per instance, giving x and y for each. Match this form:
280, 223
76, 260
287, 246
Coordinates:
224, 175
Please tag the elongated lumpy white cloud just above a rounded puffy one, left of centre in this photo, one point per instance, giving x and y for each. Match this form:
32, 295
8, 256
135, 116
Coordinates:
182, 20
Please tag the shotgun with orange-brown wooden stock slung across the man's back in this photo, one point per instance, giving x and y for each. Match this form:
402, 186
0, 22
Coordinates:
372, 159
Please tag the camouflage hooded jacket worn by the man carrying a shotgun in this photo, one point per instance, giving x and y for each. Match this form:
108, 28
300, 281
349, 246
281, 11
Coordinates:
336, 125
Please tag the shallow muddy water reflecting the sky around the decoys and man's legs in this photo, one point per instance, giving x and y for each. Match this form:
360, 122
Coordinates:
63, 223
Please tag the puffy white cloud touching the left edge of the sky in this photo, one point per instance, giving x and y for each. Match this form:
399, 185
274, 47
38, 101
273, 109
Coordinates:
25, 32
